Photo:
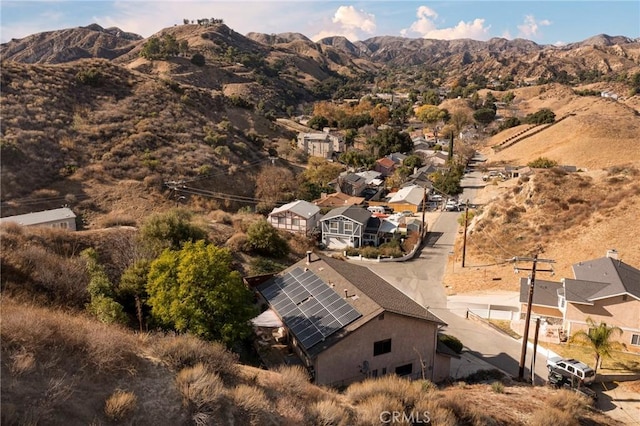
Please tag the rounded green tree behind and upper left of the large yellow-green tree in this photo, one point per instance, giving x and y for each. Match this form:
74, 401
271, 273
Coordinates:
170, 230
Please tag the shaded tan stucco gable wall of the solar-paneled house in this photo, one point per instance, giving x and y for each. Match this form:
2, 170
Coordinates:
411, 339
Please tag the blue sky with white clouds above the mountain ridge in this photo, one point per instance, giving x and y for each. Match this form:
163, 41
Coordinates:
545, 22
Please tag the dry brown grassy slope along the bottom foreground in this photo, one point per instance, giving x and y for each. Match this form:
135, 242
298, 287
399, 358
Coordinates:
59, 368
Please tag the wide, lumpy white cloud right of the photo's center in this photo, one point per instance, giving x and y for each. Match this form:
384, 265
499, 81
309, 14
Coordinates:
427, 27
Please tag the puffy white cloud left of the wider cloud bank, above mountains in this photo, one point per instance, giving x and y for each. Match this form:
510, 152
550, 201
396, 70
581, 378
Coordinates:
348, 22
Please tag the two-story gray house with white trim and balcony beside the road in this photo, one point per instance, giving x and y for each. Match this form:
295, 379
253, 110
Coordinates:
344, 227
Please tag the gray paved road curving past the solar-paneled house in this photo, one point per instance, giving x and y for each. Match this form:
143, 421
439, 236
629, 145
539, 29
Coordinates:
421, 279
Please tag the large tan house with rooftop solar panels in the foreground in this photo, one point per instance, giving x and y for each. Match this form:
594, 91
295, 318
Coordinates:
345, 323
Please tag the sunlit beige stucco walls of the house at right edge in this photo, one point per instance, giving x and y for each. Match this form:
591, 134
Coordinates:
613, 311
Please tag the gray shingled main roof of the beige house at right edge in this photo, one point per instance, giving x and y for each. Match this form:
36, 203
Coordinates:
620, 277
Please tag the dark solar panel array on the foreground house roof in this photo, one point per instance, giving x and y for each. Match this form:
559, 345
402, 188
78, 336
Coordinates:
308, 306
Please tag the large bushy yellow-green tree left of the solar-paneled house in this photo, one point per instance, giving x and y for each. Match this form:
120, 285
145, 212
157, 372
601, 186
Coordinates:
195, 290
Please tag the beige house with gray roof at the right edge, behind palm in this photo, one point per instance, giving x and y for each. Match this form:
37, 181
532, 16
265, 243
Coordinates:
604, 289
